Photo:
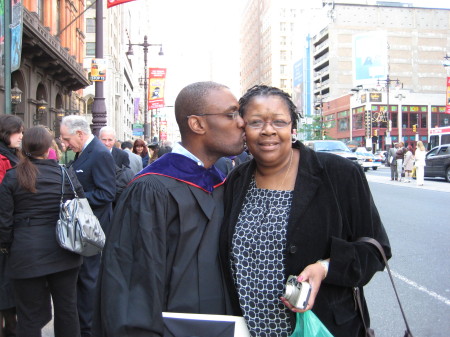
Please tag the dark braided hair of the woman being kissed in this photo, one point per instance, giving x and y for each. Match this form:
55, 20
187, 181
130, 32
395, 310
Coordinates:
264, 90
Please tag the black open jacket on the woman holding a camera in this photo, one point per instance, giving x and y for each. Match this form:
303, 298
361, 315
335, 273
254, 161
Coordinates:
331, 207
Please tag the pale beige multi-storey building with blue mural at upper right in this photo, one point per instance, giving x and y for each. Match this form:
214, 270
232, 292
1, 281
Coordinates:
364, 43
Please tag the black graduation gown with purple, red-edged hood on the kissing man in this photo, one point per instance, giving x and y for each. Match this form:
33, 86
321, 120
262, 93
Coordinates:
162, 250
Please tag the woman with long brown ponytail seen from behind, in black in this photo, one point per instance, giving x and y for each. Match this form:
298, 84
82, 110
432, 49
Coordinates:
39, 268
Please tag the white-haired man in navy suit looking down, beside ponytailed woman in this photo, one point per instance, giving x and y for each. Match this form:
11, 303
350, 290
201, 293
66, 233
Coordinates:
95, 170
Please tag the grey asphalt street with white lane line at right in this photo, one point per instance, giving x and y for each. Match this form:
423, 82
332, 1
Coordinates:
417, 222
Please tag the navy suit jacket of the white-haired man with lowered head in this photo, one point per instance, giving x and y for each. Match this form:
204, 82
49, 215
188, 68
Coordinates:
96, 172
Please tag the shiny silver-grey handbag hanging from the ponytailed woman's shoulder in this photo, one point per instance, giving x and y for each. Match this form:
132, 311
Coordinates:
78, 229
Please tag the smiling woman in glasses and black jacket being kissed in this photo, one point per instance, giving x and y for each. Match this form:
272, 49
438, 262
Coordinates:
291, 211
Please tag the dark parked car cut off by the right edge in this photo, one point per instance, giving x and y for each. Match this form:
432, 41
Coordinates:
437, 162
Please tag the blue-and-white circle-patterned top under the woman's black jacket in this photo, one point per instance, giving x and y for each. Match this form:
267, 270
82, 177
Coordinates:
258, 259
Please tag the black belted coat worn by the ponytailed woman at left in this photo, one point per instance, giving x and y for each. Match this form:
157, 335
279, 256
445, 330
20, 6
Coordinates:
28, 221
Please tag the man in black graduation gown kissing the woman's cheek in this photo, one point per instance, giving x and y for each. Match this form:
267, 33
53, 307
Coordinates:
162, 250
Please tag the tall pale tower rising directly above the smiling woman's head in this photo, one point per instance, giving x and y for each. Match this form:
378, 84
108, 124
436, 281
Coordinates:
267, 32
